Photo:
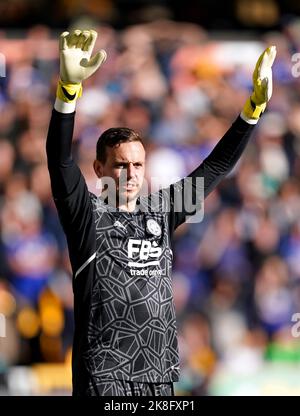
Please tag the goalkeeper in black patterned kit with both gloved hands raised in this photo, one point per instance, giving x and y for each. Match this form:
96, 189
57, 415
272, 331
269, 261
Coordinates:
125, 340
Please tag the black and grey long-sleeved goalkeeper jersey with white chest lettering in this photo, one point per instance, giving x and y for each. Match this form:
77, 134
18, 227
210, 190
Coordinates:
125, 324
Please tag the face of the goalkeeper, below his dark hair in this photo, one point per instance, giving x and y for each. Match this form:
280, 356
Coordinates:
125, 164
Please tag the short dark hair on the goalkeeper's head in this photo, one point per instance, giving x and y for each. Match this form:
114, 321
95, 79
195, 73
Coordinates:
114, 136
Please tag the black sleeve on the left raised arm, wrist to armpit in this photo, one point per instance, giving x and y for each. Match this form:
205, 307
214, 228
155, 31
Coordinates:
69, 189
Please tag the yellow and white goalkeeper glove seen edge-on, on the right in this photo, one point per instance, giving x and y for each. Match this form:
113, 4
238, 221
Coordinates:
262, 86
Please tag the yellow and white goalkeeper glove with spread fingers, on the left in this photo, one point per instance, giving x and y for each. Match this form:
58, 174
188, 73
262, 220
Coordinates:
76, 64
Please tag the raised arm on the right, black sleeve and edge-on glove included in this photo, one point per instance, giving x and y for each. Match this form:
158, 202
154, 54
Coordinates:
227, 152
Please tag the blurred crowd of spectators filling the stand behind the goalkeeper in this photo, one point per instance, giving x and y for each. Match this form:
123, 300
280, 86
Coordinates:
237, 272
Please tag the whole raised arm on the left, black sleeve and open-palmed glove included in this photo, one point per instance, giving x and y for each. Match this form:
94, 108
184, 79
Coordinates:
68, 185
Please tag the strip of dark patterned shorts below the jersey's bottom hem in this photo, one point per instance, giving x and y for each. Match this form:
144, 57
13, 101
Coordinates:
128, 388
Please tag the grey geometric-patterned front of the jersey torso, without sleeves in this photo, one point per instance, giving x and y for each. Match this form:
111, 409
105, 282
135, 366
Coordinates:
132, 331
